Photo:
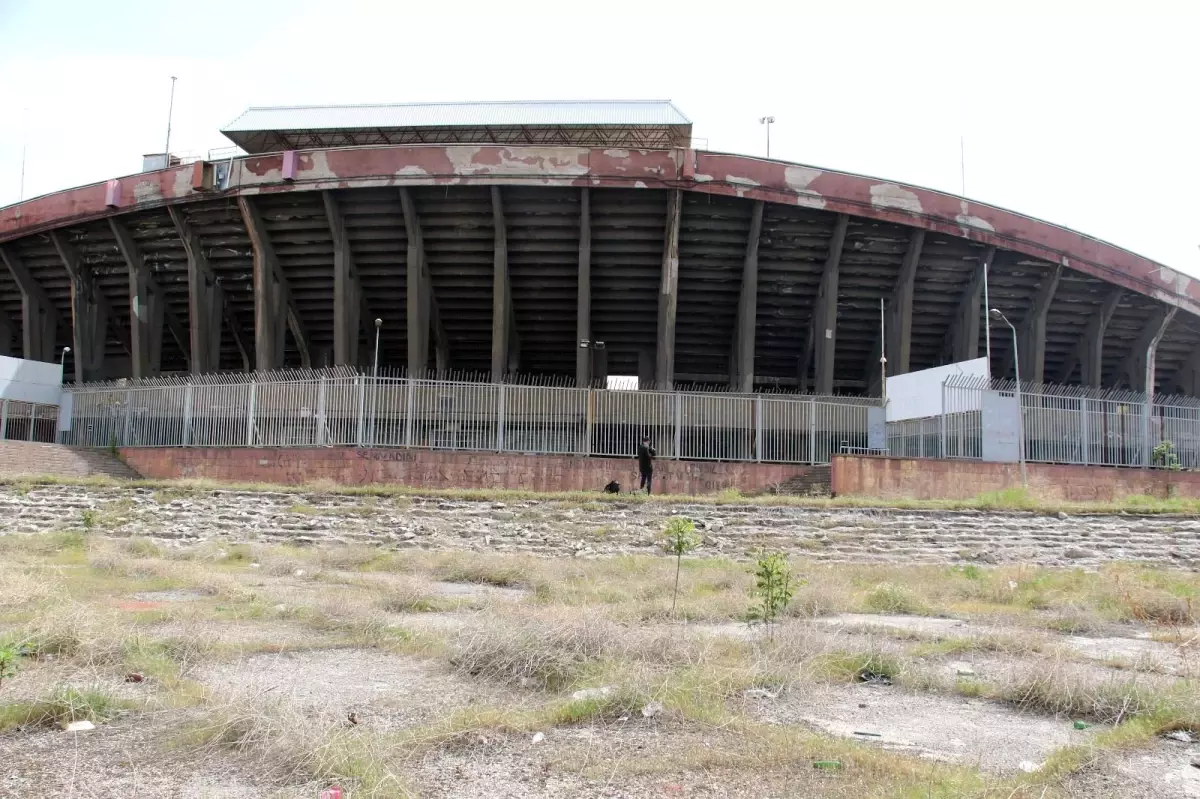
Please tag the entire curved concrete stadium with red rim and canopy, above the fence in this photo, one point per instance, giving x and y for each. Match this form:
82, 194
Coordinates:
514, 239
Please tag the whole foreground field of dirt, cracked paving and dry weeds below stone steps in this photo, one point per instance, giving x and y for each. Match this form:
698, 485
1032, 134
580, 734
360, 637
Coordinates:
215, 669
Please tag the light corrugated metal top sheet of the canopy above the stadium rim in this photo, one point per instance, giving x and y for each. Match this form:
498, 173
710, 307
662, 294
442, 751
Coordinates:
309, 118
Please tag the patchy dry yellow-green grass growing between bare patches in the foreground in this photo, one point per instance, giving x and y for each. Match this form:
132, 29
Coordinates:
581, 624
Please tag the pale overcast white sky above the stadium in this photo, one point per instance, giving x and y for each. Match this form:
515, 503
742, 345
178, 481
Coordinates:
1087, 115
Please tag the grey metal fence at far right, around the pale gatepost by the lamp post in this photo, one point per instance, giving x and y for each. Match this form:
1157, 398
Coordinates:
1060, 425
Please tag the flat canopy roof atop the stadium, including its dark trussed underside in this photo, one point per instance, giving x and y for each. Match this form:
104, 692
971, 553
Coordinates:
623, 123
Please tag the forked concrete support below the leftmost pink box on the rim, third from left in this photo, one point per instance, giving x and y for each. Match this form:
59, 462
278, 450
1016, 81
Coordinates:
148, 309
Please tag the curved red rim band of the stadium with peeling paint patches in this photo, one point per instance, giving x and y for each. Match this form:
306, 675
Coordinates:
689, 170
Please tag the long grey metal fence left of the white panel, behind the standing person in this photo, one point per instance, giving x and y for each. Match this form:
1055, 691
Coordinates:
341, 408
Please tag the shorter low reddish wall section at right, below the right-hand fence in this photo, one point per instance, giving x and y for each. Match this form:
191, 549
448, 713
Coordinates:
929, 479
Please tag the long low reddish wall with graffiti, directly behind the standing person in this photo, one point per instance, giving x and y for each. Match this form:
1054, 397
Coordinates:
443, 470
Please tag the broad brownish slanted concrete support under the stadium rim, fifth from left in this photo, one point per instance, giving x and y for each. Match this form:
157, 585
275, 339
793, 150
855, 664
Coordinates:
274, 305
